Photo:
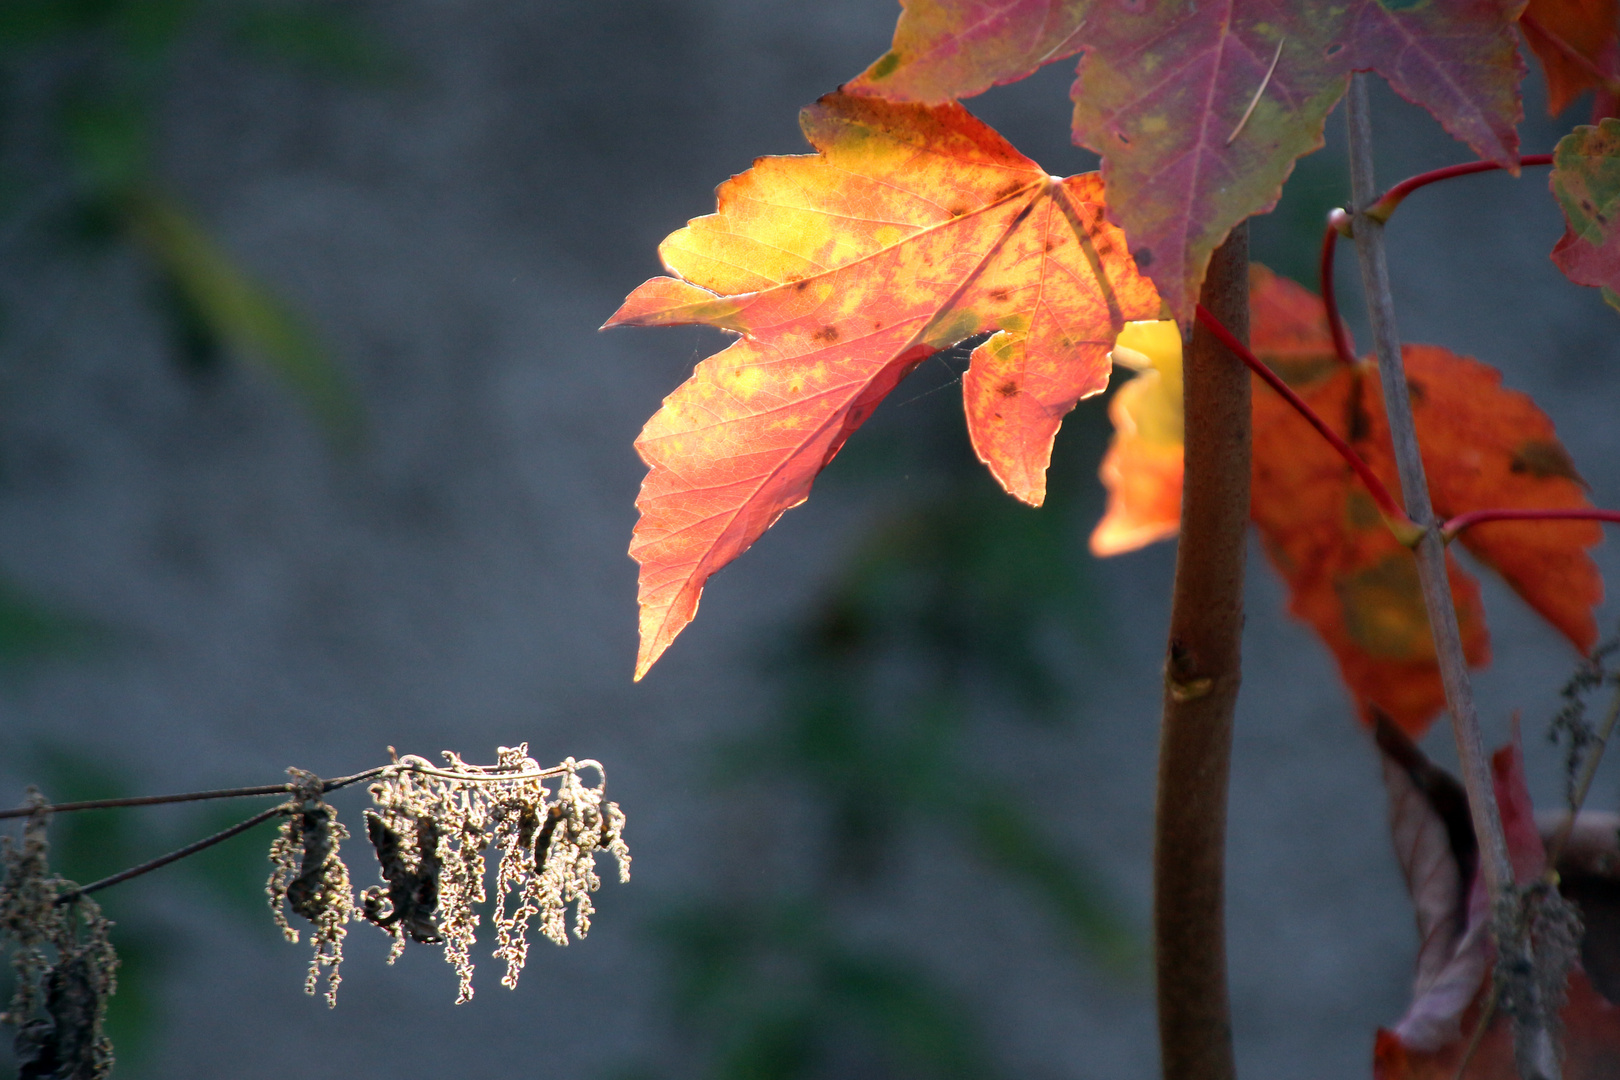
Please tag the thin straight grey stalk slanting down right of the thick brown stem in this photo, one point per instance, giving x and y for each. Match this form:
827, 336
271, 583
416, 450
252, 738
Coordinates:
1535, 1052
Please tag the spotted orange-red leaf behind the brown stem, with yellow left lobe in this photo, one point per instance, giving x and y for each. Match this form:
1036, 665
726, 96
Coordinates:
1347, 574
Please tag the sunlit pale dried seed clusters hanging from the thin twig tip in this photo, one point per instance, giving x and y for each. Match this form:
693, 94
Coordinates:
432, 830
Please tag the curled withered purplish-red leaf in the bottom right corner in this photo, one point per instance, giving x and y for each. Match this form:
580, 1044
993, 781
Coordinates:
1436, 846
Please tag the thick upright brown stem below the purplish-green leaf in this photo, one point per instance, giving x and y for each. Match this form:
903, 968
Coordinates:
1203, 673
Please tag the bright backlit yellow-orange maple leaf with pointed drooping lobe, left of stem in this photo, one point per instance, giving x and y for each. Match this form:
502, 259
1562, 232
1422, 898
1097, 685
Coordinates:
913, 227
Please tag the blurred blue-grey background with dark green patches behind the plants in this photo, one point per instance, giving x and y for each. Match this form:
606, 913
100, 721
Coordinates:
889, 796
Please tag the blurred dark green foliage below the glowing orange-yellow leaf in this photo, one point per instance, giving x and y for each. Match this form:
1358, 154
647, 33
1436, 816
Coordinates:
958, 606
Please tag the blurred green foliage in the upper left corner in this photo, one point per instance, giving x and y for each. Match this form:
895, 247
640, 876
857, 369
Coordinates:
82, 95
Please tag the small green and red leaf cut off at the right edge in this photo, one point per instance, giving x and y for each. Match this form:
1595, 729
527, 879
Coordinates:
1587, 184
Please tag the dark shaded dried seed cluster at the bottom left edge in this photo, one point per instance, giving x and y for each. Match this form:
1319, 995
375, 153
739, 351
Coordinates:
62, 963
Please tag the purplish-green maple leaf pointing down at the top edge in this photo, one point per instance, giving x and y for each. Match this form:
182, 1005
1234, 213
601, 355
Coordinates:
1201, 109
